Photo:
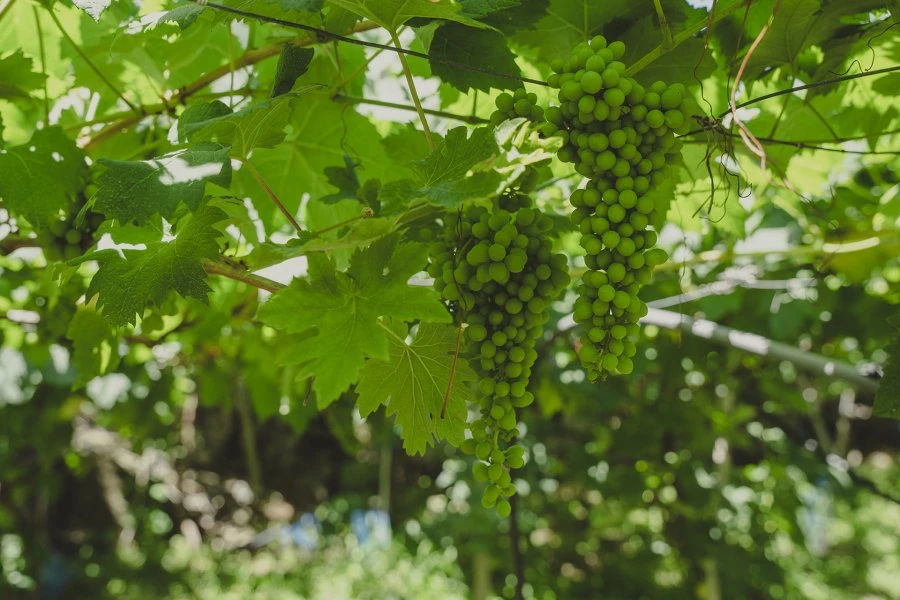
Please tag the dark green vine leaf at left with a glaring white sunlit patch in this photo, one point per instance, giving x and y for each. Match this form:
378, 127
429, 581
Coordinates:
137, 190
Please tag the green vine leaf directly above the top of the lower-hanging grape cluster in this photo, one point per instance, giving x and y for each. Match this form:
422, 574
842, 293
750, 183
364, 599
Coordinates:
444, 179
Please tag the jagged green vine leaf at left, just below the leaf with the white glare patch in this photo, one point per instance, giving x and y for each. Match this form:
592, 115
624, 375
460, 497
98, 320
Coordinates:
128, 281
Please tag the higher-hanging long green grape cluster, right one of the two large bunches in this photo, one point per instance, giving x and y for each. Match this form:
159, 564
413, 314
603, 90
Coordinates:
621, 136
